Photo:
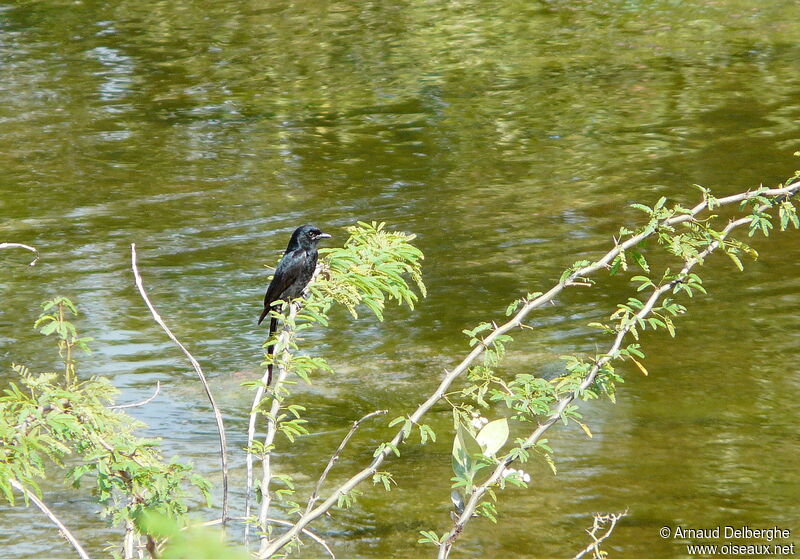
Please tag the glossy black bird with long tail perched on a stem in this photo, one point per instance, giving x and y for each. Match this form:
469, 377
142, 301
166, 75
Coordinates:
292, 275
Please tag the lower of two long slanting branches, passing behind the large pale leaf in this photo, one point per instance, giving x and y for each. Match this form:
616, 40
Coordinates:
477, 494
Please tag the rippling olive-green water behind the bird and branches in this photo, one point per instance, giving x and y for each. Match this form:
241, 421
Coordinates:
509, 136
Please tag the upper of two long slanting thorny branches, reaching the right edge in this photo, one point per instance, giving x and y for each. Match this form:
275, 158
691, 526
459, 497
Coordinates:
515, 322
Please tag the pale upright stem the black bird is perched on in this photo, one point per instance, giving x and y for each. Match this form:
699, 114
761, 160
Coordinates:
282, 349
